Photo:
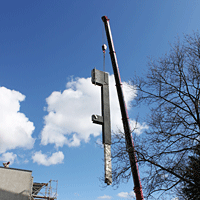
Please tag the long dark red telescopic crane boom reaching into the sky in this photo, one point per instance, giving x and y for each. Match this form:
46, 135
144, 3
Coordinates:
124, 113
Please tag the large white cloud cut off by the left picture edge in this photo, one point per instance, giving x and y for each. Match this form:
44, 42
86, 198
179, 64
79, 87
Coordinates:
15, 129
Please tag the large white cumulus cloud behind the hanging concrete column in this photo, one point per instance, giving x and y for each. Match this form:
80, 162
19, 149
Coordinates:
68, 121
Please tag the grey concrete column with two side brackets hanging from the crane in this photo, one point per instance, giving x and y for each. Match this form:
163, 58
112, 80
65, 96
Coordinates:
101, 78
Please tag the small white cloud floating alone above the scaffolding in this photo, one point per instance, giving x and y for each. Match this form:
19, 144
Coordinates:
43, 159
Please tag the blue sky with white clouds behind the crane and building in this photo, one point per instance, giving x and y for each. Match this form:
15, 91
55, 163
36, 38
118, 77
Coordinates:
47, 52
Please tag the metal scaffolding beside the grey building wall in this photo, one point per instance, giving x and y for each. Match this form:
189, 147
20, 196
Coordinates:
45, 190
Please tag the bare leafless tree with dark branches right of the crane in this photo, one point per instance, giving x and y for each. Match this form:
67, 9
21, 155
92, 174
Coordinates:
171, 90
